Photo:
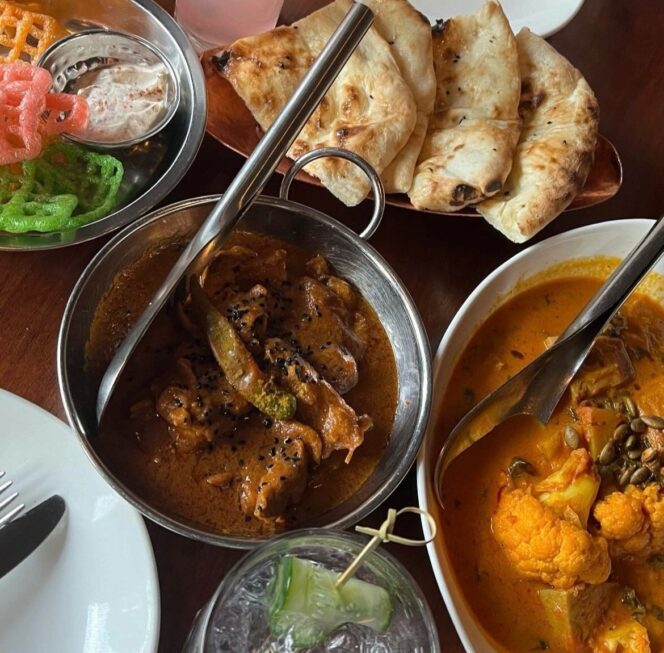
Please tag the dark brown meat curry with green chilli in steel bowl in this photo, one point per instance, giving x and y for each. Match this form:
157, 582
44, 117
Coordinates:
262, 403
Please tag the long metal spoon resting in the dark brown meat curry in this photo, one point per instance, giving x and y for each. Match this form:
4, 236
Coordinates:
248, 183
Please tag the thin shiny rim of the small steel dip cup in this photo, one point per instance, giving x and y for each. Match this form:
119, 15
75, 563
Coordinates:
174, 81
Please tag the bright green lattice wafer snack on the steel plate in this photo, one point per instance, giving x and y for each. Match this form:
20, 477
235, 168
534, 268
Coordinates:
67, 187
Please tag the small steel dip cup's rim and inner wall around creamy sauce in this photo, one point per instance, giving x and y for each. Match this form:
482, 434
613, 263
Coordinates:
78, 54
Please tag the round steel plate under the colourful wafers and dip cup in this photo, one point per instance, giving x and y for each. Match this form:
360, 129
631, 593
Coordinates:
153, 167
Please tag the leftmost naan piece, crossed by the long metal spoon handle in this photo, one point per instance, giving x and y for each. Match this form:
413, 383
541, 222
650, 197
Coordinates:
369, 109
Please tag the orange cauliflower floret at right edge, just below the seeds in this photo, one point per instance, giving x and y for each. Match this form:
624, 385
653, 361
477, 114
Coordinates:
633, 521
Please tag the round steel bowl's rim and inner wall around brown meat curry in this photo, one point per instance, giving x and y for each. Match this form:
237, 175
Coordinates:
352, 258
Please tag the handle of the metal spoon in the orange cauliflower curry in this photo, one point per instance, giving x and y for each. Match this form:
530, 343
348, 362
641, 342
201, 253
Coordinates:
613, 294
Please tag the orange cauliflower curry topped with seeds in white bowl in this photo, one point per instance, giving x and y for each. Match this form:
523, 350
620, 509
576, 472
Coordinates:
556, 533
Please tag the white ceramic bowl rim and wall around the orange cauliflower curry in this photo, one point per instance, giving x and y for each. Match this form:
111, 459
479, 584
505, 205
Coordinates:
614, 239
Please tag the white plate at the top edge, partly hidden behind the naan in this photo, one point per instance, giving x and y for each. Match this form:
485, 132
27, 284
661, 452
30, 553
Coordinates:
544, 17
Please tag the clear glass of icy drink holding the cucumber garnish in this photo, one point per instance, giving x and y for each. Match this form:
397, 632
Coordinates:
240, 617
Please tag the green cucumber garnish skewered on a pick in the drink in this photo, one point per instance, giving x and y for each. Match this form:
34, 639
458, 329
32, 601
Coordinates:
306, 603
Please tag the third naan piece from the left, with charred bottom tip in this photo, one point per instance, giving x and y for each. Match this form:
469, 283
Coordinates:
474, 129
